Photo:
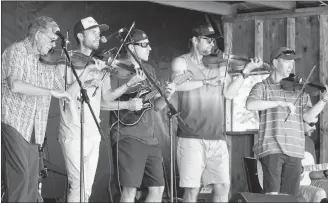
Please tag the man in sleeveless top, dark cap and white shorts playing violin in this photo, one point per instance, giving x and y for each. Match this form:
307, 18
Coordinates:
202, 153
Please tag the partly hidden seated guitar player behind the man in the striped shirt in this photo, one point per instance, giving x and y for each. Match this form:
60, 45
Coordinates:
314, 184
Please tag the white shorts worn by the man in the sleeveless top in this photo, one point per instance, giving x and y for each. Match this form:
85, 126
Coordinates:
202, 162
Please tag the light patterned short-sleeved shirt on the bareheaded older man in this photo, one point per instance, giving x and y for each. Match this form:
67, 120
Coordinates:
25, 112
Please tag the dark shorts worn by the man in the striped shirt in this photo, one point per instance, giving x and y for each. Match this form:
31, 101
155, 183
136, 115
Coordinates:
281, 173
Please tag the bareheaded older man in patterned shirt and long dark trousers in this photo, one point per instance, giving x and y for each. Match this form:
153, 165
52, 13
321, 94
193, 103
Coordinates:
27, 88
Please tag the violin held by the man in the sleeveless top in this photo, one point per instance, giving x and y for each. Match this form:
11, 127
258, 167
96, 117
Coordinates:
237, 63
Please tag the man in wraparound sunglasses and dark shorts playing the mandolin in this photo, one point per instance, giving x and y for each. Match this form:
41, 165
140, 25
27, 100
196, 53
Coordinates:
136, 152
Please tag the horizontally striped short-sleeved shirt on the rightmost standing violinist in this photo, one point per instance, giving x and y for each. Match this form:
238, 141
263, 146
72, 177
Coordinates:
276, 135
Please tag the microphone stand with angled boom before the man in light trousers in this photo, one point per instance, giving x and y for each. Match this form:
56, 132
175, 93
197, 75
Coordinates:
84, 98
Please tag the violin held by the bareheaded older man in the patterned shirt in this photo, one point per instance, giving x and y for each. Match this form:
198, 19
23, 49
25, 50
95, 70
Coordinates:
79, 60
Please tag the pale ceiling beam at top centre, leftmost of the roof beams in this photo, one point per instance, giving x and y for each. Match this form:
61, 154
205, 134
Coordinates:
203, 6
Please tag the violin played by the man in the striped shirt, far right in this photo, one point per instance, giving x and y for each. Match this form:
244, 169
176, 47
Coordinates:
295, 82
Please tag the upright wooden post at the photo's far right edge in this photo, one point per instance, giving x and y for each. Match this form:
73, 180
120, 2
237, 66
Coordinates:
324, 79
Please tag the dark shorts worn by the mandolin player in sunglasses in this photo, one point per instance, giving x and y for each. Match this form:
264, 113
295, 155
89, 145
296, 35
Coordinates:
139, 164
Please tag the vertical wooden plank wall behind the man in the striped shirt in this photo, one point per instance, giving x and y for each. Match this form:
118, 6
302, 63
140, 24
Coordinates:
302, 34
